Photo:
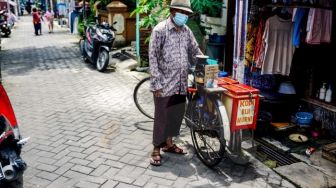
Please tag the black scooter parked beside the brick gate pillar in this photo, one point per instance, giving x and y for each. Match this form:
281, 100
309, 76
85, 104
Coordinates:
96, 44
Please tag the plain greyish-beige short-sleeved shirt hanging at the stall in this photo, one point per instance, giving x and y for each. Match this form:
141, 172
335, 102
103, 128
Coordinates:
278, 46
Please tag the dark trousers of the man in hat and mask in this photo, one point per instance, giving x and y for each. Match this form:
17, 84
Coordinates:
169, 112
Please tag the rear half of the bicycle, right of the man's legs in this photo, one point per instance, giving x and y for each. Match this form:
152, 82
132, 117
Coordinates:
205, 116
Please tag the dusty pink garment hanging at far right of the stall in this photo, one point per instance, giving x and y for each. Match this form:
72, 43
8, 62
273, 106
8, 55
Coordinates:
319, 26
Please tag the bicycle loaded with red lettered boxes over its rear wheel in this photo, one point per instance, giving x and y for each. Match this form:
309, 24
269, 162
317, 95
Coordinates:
216, 116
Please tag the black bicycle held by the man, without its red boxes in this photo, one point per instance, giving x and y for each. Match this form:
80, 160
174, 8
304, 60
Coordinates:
207, 119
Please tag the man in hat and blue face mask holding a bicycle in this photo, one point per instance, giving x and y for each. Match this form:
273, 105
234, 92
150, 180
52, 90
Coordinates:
172, 49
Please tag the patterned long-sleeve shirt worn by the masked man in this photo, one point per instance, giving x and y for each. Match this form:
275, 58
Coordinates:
171, 52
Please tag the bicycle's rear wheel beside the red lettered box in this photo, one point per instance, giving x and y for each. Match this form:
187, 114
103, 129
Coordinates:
206, 132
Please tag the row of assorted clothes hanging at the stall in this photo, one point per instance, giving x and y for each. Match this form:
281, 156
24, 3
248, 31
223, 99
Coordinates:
272, 33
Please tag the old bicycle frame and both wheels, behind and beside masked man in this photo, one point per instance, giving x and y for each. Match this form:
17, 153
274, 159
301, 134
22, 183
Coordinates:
204, 118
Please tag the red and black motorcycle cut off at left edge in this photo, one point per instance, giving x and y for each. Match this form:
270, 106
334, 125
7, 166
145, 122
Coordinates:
11, 164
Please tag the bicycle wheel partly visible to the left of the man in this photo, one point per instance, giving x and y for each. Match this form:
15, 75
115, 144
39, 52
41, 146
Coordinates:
143, 98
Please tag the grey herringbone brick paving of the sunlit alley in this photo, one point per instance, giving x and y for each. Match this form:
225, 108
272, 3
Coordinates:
85, 130
